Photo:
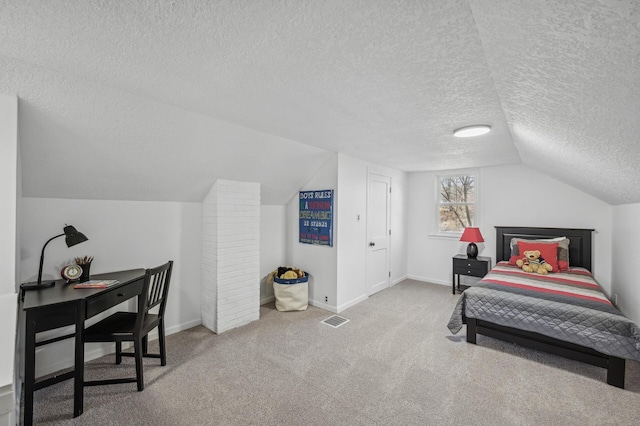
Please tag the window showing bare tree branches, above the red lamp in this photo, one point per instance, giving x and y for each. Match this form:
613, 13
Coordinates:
456, 202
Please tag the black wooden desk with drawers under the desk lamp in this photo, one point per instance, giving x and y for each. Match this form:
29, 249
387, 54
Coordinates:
61, 306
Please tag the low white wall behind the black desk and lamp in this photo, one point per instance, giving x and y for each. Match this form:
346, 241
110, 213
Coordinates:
122, 235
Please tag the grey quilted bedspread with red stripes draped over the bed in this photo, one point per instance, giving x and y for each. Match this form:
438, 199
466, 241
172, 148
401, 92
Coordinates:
569, 306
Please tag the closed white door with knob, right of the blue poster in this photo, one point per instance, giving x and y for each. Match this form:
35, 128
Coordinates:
378, 224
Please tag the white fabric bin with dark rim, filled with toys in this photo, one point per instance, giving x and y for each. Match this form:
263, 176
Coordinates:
290, 287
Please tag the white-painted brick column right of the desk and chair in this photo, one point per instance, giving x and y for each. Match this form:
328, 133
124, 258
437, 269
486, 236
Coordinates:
231, 255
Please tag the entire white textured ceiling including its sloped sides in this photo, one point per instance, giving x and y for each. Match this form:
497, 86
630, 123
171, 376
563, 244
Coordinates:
155, 100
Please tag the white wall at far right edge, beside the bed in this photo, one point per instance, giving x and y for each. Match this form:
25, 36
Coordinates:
624, 264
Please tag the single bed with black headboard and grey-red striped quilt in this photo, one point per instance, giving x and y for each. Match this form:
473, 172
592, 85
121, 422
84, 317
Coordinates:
564, 313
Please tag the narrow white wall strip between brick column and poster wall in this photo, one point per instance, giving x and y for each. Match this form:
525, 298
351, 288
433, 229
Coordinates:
273, 246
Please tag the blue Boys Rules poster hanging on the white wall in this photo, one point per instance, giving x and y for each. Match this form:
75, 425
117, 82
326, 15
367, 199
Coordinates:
316, 217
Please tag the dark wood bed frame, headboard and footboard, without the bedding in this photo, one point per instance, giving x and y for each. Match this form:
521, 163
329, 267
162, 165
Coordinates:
579, 255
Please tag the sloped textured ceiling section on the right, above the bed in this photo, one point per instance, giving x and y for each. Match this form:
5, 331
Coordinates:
568, 76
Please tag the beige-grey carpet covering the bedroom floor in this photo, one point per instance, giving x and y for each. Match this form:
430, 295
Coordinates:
393, 363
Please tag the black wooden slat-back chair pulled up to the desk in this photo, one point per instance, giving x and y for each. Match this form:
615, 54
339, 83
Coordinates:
135, 326
